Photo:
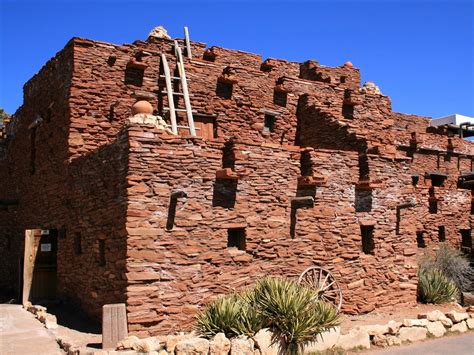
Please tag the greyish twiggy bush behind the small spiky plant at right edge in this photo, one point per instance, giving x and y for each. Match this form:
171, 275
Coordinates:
452, 263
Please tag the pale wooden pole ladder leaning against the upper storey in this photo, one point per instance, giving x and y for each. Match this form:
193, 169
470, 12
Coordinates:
171, 93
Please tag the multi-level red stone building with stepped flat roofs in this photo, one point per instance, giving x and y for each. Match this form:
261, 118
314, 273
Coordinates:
123, 211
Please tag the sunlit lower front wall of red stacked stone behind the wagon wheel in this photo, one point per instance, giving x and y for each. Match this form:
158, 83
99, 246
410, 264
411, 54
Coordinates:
173, 273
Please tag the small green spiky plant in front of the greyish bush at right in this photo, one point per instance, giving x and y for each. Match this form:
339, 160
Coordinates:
435, 287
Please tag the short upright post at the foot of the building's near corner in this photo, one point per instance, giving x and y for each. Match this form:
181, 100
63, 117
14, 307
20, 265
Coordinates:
114, 325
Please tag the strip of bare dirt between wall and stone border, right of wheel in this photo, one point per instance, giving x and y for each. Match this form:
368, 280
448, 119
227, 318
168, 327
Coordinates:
397, 314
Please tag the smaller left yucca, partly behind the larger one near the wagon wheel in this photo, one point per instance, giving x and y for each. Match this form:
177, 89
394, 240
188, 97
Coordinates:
231, 315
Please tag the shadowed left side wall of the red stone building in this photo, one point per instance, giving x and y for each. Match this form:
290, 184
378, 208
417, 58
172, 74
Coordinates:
84, 196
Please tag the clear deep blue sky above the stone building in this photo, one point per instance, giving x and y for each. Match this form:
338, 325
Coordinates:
418, 52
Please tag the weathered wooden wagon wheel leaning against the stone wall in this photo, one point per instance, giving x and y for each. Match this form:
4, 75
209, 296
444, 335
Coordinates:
324, 283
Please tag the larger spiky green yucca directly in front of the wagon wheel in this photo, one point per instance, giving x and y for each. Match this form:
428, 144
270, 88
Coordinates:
294, 312
